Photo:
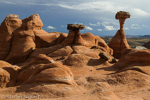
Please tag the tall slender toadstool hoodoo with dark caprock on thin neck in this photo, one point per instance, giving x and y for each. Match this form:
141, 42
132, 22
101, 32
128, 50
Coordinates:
119, 41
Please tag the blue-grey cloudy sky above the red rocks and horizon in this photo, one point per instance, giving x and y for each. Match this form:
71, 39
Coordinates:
97, 15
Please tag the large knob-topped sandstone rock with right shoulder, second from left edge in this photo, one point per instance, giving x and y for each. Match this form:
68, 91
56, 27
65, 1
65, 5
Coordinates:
28, 37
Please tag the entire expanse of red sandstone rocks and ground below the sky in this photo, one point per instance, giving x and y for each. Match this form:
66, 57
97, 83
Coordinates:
76, 66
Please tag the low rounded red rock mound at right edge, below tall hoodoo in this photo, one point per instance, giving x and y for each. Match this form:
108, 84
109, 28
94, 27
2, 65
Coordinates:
134, 59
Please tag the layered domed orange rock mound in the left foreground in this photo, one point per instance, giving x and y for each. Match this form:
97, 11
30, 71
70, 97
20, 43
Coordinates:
44, 69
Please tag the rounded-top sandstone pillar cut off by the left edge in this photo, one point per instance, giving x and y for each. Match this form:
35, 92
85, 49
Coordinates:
10, 24
